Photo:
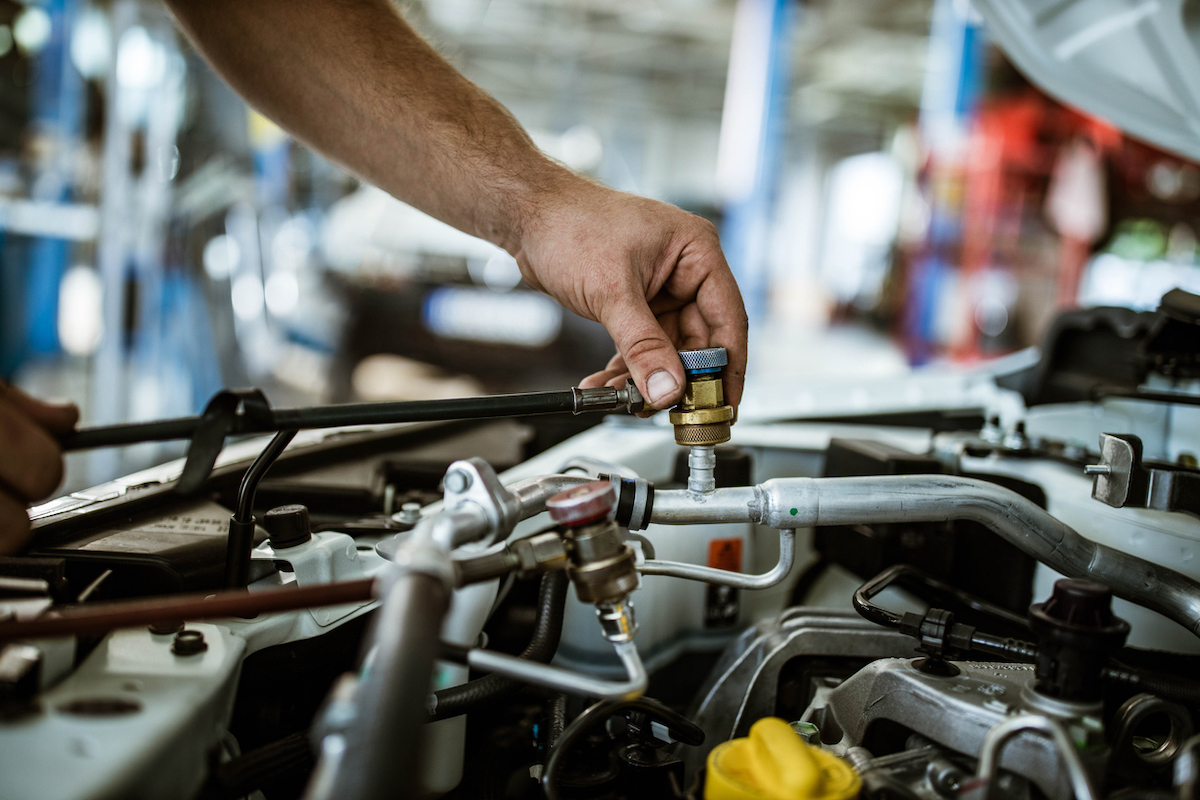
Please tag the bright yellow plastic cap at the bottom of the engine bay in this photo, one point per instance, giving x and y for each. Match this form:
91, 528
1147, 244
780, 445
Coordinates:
773, 763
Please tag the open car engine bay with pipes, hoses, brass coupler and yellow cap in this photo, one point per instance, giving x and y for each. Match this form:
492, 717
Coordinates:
956, 586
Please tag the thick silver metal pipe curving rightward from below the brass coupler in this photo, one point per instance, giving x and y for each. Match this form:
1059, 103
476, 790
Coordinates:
808, 502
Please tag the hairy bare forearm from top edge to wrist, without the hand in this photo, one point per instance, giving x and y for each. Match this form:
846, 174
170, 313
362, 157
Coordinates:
355, 82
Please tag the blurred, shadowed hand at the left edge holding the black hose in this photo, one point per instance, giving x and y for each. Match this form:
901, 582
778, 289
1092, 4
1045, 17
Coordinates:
31, 459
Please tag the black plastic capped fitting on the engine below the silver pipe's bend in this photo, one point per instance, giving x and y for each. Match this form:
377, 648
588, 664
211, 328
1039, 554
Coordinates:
1077, 633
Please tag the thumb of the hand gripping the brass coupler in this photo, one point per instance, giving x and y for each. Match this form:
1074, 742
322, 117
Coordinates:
649, 352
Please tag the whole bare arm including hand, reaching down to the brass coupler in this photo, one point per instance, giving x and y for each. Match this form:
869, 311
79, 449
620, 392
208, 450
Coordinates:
355, 82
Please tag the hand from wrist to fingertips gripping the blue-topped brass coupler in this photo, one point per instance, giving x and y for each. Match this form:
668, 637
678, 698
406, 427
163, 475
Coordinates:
652, 274
